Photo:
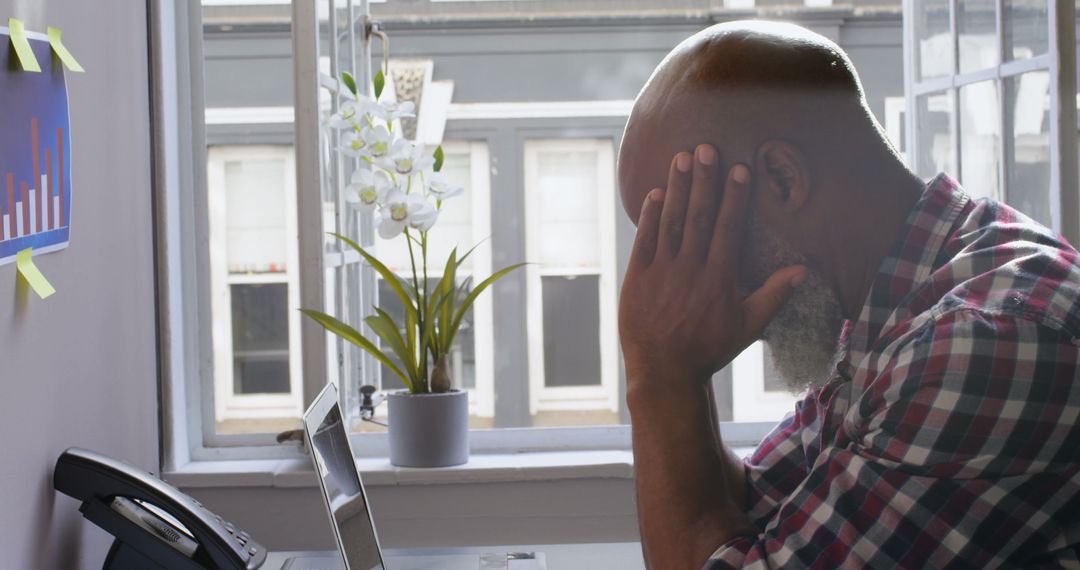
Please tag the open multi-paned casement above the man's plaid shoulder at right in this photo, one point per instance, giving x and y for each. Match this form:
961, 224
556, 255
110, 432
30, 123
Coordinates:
982, 96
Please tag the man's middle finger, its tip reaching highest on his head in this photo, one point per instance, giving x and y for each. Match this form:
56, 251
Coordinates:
705, 200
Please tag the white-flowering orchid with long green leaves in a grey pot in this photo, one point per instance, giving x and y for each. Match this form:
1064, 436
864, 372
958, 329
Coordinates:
401, 185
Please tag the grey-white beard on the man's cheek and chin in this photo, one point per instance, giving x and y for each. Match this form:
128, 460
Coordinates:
804, 336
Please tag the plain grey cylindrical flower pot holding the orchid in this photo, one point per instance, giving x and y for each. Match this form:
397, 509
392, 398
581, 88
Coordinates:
429, 430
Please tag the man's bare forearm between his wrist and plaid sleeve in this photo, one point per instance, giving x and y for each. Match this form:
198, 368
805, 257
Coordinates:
690, 494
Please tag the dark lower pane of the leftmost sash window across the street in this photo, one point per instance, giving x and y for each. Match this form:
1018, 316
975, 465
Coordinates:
261, 338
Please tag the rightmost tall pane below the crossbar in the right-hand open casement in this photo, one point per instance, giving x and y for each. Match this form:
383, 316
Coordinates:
1028, 107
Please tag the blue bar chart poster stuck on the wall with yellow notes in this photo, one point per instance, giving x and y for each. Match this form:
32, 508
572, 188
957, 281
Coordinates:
35, 153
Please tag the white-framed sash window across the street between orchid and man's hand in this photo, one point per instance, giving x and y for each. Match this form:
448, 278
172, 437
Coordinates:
570, 188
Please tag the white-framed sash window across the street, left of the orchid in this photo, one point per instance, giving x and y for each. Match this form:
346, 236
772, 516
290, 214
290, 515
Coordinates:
254, 294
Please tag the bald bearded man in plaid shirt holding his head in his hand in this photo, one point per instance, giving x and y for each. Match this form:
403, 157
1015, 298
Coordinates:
936, 336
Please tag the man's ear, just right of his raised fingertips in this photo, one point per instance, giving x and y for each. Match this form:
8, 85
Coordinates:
782, 174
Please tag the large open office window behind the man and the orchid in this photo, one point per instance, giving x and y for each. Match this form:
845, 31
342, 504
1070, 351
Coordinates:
979, 98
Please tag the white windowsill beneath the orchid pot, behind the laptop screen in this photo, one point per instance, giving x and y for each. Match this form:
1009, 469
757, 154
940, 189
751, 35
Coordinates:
482, 468
